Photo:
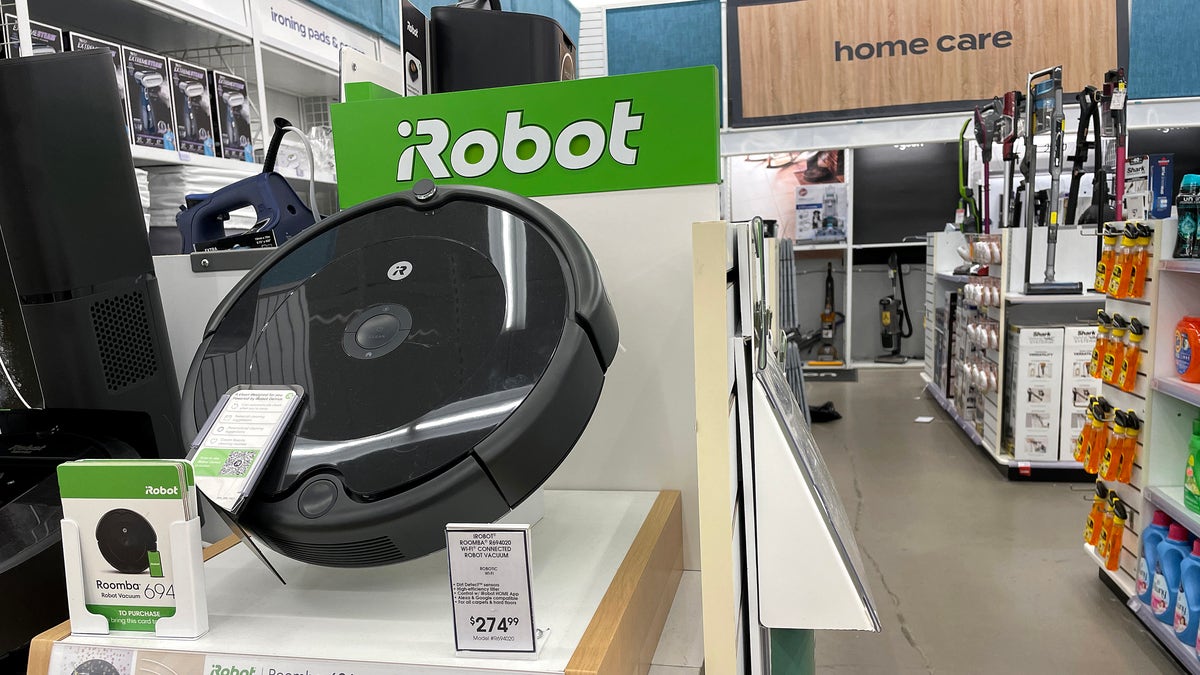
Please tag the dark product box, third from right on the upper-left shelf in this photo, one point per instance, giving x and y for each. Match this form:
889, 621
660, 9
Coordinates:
152, 116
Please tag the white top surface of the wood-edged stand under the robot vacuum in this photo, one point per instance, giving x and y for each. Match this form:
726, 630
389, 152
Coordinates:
398, 619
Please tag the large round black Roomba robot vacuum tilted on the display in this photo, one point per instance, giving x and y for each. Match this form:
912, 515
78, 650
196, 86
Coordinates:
452, 343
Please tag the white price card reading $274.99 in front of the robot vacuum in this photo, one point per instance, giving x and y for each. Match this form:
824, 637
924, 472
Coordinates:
490, 588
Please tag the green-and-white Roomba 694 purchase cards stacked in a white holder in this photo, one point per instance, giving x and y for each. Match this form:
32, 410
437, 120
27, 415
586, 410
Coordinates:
124, 512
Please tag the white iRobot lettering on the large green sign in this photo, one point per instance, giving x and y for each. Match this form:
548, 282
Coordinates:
521, 148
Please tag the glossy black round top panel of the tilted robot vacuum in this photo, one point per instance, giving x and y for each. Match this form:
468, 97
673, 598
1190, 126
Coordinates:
415, 336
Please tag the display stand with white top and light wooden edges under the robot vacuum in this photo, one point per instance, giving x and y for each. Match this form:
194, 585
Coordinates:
604, 586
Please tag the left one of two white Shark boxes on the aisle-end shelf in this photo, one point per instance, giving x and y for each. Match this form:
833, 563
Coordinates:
1035, 381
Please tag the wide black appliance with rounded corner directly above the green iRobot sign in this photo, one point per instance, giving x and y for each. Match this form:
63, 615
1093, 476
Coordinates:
478, 49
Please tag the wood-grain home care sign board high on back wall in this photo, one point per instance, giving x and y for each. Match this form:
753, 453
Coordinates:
800, 59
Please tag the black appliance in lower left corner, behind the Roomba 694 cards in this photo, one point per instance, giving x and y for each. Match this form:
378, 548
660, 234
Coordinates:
33, 445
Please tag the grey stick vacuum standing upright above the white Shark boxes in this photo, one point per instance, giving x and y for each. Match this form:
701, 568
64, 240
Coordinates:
1045, 107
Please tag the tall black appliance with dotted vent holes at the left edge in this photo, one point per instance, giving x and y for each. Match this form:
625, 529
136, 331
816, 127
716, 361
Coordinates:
81, 318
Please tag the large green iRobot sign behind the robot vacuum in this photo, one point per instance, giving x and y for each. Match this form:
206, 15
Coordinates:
598, 135
